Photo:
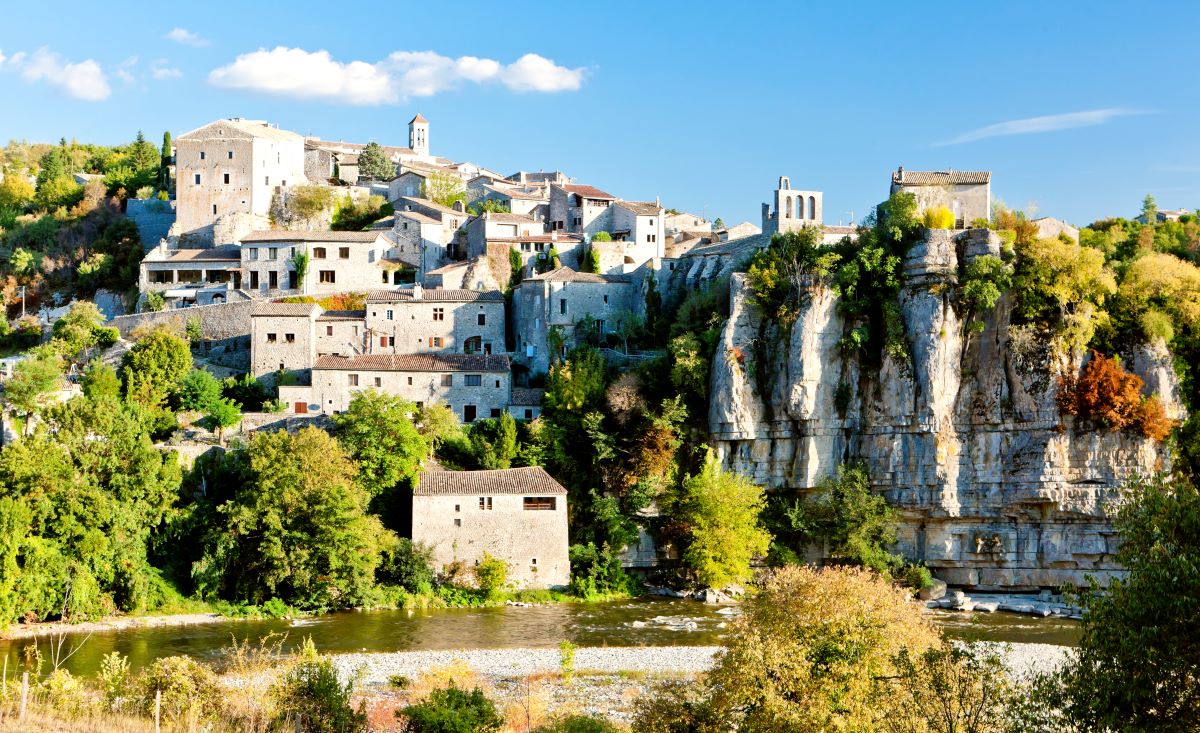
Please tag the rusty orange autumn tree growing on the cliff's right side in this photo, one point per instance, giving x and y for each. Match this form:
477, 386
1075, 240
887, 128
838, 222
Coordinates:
1108, 395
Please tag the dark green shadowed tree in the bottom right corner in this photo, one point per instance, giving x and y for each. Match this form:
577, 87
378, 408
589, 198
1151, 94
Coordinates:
1138, 666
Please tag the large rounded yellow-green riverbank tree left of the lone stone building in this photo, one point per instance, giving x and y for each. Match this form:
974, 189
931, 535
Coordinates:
296, 527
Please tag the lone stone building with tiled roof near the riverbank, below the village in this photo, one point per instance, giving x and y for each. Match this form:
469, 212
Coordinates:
518, 515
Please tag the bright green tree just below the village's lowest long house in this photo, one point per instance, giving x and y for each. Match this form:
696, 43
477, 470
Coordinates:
377, 431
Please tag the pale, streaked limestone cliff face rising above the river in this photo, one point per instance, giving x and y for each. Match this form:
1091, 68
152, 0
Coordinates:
997, 490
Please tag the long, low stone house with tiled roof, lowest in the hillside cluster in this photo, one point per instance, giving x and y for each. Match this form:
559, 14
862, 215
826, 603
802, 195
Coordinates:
473, 386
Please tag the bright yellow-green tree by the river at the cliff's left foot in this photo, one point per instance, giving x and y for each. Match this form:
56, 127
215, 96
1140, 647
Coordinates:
722, 513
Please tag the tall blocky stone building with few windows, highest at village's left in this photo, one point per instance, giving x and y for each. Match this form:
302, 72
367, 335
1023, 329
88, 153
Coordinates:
232, 167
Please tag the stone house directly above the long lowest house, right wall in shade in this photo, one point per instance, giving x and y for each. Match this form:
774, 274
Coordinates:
449, 321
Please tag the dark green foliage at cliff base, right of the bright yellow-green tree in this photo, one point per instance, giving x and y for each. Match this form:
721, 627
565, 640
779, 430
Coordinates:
856, 524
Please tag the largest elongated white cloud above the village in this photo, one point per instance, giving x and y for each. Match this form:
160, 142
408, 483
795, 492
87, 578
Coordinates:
303, 75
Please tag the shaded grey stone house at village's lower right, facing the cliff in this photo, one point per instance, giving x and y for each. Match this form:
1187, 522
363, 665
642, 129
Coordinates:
550, 309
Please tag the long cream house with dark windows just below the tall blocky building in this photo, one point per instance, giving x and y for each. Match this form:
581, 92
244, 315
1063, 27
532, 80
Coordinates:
338, 262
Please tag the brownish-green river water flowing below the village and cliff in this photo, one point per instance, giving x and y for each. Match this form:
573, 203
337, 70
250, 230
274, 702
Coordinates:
641, 622
